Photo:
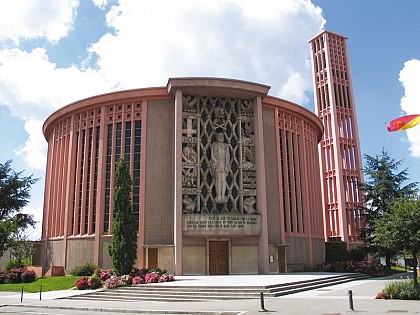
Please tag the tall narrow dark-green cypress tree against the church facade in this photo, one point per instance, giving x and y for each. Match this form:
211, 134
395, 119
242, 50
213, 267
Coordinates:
123, 246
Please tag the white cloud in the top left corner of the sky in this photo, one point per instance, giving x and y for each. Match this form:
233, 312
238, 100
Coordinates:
26, 19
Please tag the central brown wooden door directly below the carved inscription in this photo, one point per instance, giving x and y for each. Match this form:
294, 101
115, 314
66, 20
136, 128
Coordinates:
218, 258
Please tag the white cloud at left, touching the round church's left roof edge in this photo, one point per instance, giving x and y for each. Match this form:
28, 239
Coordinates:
33, 88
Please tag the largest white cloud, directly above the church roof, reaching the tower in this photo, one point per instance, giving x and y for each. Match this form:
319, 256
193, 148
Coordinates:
264, 42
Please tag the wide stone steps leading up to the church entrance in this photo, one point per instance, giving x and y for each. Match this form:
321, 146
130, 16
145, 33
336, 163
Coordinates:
177, 292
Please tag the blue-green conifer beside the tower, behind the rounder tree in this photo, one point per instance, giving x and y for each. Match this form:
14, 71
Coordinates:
385, 184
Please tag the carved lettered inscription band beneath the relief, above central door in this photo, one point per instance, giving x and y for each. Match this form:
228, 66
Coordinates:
221, 222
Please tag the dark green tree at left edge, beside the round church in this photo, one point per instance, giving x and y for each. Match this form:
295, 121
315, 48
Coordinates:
14, 195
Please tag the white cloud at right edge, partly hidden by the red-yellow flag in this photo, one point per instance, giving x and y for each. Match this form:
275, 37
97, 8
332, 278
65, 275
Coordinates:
410, 102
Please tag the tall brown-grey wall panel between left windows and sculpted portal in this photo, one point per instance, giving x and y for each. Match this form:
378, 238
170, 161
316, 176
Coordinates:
159, 229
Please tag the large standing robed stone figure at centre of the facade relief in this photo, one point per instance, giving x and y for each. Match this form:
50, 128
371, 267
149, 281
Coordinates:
220, 162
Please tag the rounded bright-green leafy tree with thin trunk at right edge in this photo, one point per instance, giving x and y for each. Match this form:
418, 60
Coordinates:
399, 229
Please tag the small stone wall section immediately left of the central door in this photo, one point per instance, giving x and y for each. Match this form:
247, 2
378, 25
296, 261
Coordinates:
195, 260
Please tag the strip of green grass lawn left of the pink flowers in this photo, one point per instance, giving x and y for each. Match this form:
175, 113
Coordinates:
48, 284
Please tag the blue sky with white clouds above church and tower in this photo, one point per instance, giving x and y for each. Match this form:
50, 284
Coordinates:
53, 53
